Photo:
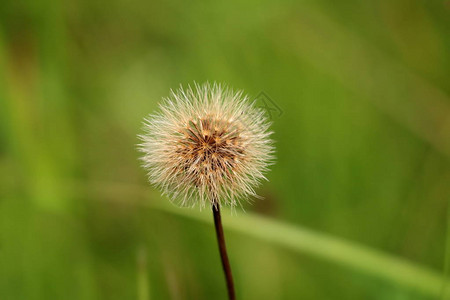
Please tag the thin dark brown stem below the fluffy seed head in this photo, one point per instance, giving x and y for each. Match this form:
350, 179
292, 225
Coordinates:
223, 251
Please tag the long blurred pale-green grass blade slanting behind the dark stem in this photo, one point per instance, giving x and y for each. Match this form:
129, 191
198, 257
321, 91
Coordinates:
318, 245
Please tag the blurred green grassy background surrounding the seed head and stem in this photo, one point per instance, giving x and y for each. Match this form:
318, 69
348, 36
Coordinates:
362, 137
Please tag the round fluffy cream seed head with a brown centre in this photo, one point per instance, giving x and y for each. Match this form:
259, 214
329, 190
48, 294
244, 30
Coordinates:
207, 145
